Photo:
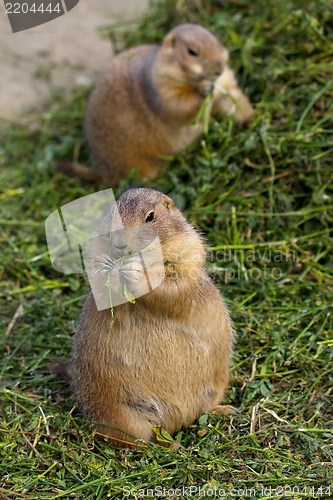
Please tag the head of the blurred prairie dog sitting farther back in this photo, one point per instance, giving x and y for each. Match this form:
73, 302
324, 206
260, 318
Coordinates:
190, 54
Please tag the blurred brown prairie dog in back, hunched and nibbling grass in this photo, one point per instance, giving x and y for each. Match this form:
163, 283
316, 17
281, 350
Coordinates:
144, 105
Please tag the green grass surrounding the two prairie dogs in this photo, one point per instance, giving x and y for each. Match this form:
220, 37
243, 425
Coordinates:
263, 196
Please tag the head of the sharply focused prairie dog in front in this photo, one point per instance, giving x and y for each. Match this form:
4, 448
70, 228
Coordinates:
147, 213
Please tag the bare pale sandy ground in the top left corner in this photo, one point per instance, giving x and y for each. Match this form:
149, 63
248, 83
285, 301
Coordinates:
65, 52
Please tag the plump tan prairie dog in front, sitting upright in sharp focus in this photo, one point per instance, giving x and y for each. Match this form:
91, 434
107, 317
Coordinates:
166, 360
